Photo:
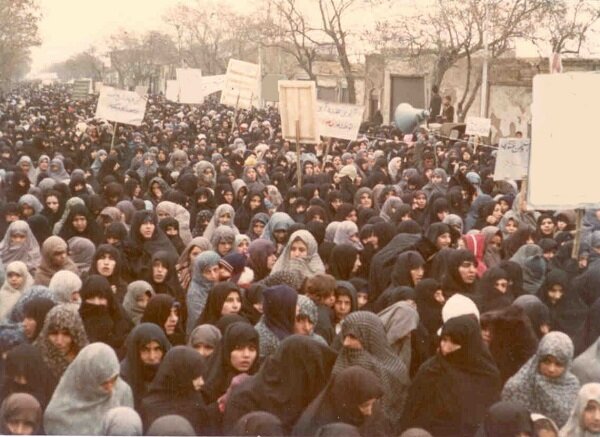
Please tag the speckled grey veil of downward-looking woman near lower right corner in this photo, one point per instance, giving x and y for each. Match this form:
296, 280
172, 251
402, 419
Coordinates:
552, 397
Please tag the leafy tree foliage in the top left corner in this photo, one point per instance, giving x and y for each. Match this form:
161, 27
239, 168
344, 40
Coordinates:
18, 33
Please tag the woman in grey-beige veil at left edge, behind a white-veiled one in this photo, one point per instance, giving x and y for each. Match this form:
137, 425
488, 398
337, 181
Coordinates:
19, 244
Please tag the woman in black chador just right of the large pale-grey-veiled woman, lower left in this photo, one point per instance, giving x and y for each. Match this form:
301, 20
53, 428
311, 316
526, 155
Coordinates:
146, 347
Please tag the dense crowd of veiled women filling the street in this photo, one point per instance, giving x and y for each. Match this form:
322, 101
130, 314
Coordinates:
174, 279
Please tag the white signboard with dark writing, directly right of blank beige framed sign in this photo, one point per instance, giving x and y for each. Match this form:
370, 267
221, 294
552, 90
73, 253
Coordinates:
338, 120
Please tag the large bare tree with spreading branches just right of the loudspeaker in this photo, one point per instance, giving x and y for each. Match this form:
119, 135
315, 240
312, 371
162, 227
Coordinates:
454, 30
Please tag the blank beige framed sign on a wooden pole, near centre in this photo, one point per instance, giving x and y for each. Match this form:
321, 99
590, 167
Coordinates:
298, 102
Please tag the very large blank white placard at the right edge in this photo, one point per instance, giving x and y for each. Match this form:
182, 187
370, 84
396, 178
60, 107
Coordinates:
562, 161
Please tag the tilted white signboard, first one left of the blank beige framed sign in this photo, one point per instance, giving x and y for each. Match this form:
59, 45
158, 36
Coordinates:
241, 87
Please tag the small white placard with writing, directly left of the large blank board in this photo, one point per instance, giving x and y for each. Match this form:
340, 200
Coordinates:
512, 160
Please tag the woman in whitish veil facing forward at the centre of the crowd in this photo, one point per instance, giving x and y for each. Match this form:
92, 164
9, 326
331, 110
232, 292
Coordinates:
300, 253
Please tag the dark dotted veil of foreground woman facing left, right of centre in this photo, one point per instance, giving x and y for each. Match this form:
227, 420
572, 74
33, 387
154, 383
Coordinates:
376, 355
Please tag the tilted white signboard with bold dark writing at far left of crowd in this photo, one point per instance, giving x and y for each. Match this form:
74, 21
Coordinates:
121, 106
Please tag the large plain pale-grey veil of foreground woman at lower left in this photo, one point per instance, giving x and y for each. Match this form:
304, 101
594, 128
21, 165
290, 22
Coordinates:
79, 400
